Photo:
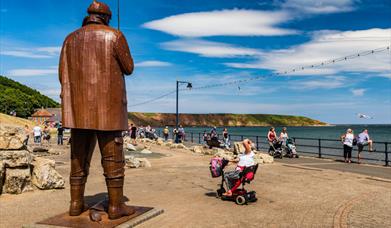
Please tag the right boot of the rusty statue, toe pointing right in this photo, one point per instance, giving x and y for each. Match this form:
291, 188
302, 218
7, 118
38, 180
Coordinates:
117, 208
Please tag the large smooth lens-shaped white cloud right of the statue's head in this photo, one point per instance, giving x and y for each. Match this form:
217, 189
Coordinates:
235, 22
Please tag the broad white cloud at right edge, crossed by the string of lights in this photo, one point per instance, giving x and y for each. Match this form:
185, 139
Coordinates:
326, 45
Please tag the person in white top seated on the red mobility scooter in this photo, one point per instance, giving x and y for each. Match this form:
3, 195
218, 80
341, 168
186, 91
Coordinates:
245, 160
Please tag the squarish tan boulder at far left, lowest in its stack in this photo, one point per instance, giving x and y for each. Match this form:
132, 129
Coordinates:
17, 180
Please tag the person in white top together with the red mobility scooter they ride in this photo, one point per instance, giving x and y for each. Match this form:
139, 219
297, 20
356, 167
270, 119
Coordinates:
244, 173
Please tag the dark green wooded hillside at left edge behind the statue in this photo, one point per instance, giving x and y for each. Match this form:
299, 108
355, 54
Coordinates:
21, 99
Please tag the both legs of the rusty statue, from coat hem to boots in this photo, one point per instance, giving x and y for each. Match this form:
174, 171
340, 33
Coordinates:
113, 162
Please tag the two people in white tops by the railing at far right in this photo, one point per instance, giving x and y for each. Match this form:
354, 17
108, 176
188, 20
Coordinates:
349, 140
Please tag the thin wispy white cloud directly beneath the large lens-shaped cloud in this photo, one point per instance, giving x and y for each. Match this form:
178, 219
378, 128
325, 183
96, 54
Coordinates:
208, 48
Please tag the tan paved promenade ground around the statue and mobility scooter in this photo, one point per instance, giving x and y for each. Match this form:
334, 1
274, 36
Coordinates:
180, 183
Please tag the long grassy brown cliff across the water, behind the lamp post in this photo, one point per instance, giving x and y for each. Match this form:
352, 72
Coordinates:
228, 120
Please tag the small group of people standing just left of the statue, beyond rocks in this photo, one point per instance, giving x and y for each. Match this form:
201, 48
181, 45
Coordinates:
43, 135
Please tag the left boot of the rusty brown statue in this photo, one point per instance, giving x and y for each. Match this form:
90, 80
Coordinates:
77, 197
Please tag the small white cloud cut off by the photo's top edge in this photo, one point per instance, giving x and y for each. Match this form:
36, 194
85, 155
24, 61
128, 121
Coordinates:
319, 6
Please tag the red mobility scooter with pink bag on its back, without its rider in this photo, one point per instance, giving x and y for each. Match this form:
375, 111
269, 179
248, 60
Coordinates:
241, 196
